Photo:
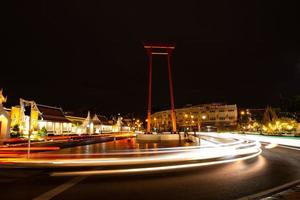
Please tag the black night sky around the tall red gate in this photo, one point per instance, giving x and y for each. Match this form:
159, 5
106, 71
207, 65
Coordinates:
89, 55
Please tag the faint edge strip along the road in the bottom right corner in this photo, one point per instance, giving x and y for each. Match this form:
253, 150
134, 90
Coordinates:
271, 191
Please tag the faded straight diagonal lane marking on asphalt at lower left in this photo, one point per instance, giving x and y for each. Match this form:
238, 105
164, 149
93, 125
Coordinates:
61, 188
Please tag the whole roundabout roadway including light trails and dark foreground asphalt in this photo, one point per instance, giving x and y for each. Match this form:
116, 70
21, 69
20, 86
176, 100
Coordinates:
223, 166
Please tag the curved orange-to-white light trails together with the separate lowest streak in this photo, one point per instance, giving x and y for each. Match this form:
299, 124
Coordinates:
131, 161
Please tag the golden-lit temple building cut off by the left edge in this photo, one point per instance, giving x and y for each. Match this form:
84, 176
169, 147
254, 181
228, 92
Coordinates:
4, 119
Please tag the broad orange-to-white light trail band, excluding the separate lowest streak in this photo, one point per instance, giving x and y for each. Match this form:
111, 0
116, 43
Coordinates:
153, 156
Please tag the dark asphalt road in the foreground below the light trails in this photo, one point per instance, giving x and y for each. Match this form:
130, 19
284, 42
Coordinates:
273, 167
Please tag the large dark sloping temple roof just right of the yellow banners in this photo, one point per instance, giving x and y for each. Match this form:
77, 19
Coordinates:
54, 114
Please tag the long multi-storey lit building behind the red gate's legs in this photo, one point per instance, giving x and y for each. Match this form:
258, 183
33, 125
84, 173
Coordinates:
194, 117
